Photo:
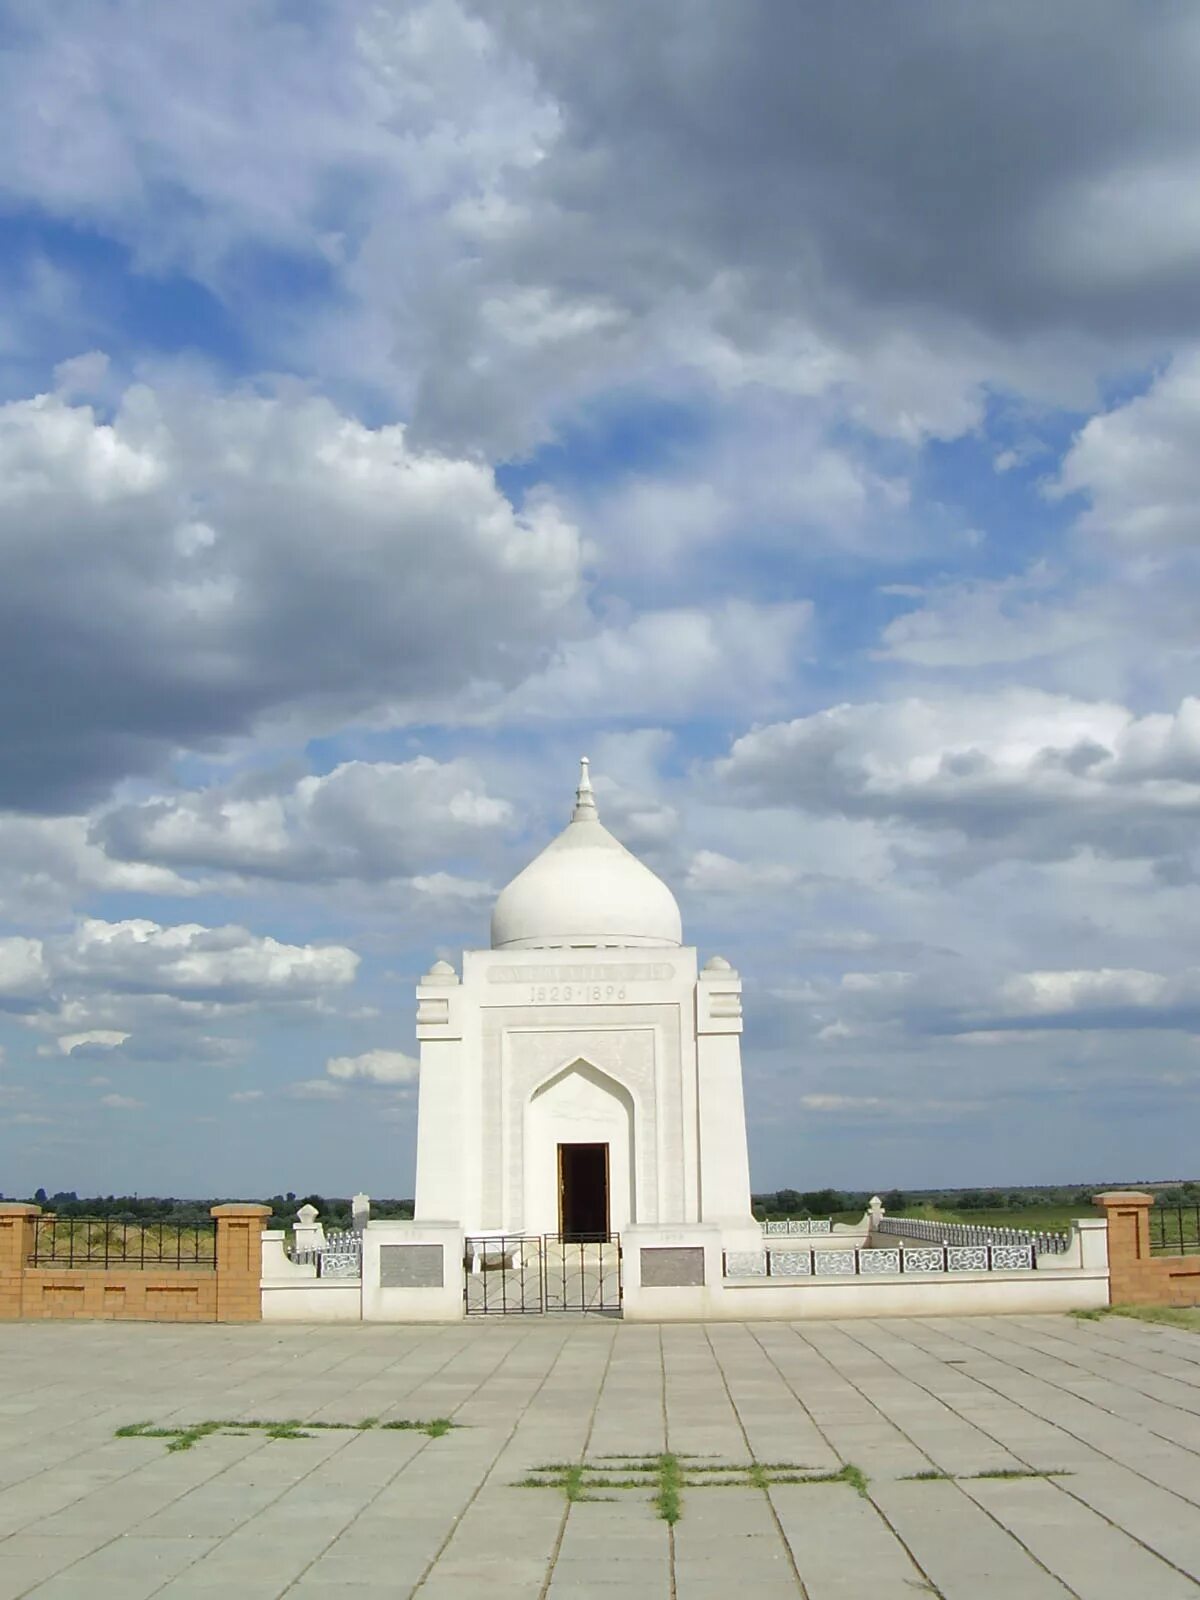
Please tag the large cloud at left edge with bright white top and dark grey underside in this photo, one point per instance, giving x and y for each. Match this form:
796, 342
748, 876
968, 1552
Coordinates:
238, 559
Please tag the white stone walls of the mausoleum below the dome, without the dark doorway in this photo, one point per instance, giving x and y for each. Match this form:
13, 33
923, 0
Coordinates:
631, 1050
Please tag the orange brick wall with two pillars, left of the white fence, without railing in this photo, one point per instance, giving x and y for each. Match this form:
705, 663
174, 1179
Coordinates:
228, 1294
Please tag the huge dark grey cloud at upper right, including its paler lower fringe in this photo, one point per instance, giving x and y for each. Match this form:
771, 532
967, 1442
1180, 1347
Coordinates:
860, 260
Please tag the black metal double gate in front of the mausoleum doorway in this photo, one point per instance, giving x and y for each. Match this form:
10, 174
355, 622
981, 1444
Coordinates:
526, 1274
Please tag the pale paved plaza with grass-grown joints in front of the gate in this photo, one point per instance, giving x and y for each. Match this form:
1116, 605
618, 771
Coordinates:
945, 1420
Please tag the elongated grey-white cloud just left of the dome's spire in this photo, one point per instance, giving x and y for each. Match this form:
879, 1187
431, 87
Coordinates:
364, 820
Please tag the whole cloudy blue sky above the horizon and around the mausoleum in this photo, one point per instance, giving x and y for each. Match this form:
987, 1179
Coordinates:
796, 409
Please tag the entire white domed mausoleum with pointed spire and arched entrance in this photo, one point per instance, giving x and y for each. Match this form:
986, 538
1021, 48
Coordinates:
583, 1076
